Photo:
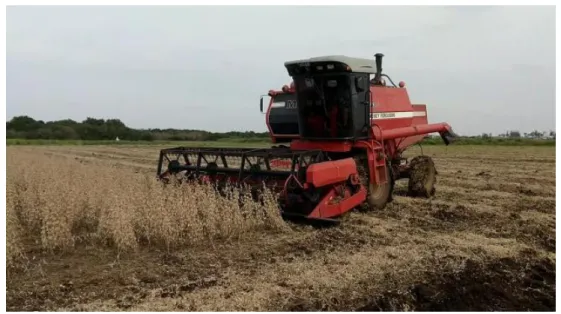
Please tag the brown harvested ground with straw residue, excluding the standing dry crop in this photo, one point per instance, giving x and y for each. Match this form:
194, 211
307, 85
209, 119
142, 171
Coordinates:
486, 241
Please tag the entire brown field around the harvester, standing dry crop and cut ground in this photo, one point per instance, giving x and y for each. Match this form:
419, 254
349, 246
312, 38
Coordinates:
88, 228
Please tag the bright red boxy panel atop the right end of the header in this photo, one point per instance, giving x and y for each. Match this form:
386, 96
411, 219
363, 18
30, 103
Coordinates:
330, 172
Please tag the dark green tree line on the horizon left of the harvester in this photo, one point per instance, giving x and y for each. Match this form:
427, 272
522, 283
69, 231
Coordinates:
25, 127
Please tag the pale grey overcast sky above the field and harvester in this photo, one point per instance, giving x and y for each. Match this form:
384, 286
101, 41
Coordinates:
481, 69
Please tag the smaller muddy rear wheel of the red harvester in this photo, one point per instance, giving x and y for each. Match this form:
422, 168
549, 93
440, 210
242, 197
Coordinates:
422, 177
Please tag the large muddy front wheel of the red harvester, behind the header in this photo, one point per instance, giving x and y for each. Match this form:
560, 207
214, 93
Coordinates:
378, 195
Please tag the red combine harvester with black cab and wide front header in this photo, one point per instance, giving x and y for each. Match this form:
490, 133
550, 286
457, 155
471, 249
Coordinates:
348, 152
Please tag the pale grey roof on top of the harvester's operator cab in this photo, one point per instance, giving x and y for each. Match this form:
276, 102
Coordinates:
359, 65
